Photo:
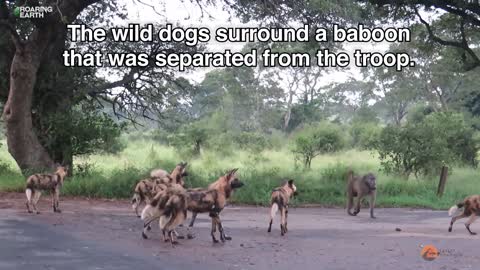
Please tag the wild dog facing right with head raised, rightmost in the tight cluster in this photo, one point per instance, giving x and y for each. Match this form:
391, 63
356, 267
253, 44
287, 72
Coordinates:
213, 199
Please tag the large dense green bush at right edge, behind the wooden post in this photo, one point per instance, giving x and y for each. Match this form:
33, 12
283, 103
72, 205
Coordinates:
440, 139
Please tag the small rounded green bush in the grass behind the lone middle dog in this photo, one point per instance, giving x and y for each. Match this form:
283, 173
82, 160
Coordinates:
317, 139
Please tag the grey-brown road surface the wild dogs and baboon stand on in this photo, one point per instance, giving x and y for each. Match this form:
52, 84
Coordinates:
93, 234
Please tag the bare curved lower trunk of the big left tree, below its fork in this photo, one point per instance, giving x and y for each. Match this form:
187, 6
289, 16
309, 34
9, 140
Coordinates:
23, 143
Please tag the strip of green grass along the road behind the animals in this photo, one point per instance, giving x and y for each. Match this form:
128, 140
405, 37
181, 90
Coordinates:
114, 176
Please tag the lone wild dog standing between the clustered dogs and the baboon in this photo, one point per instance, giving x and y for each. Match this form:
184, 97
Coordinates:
279, 201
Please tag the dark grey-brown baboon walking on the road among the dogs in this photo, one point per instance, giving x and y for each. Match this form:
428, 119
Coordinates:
360, 186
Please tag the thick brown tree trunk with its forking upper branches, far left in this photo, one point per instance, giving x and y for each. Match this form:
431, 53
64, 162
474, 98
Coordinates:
23, 144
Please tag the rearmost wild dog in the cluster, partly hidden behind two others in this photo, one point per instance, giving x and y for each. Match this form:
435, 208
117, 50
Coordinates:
145, 189
